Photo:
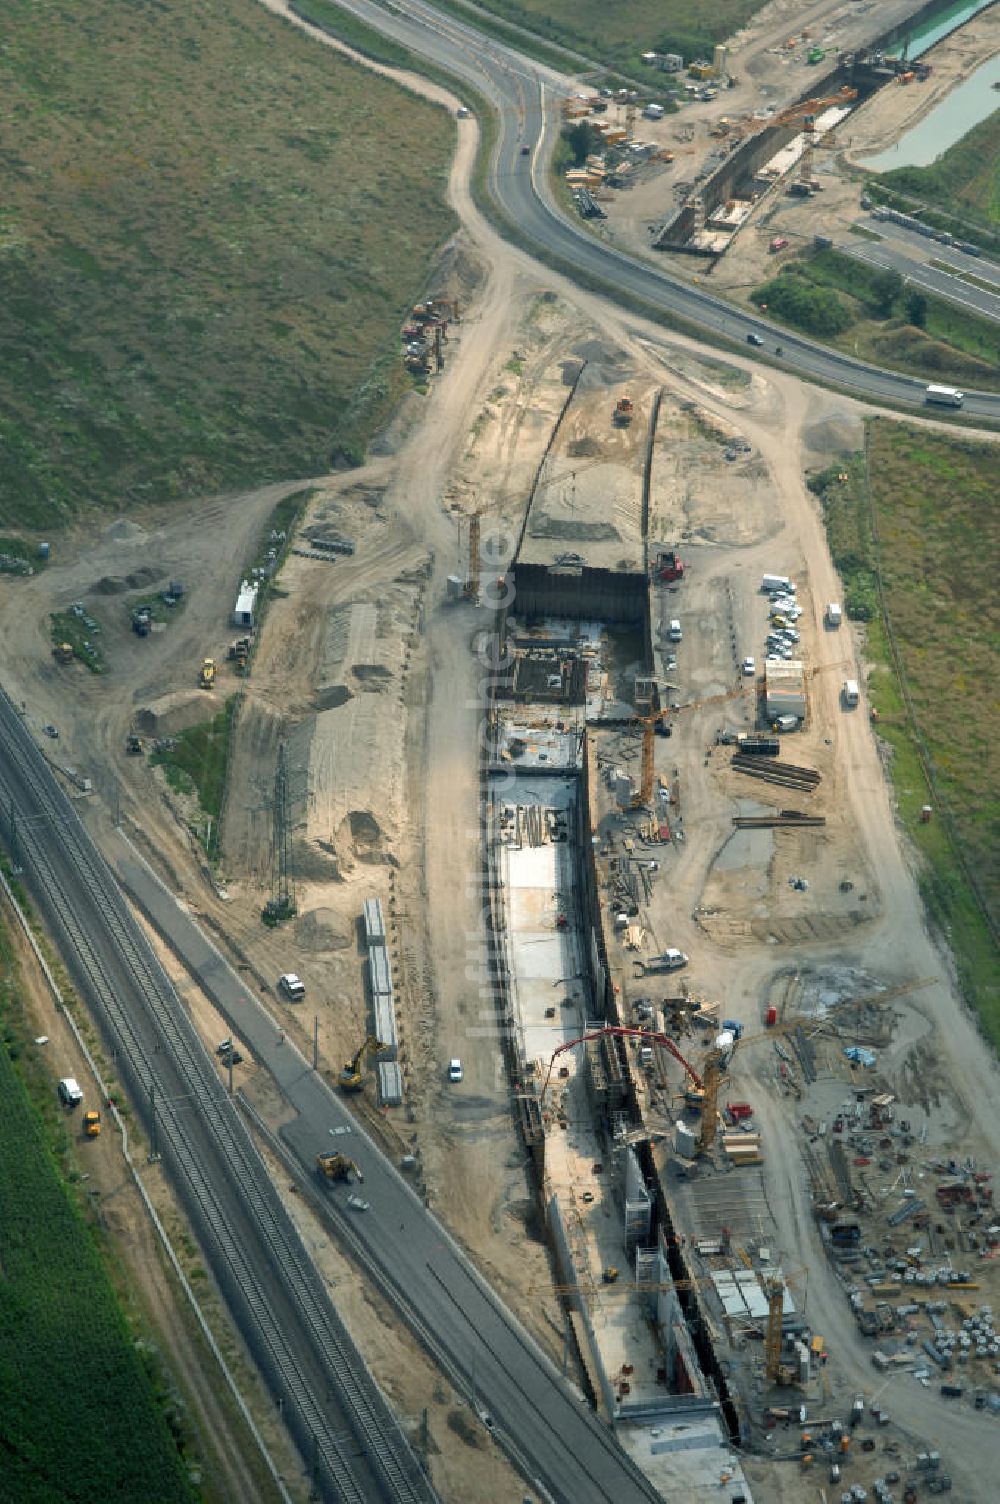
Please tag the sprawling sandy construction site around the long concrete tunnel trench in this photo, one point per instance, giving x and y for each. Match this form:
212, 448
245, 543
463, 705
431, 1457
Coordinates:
550, 933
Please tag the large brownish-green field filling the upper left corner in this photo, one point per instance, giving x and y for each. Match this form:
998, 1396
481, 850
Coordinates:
210, 234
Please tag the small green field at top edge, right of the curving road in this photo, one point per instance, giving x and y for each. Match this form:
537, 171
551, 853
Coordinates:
622, 34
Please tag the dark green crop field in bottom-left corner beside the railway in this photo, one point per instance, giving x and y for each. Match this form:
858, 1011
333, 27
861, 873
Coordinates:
80, 1410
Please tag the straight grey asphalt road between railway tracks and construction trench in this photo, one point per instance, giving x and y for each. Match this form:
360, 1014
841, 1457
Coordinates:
553, 1436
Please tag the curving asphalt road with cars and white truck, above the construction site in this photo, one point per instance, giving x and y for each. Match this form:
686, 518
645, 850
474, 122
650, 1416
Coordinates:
526, 96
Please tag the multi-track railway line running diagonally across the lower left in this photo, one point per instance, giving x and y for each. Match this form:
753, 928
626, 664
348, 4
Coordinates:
344, 1428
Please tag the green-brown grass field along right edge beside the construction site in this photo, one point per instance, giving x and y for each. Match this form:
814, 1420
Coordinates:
933, 499
